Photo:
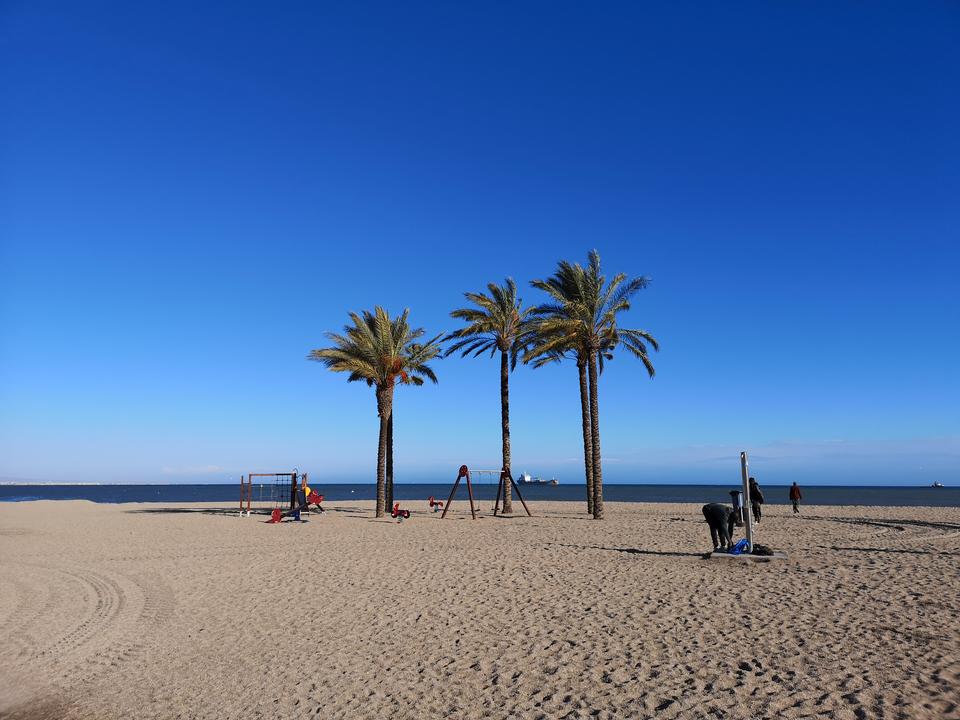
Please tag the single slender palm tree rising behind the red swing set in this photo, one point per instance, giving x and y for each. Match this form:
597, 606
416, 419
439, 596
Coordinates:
498, 322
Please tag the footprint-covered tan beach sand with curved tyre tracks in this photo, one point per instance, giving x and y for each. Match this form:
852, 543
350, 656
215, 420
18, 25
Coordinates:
146, 611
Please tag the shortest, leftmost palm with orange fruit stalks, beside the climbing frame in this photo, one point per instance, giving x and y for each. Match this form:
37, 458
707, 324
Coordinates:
381, 352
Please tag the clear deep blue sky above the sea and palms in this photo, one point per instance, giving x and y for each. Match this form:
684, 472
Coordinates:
190, 197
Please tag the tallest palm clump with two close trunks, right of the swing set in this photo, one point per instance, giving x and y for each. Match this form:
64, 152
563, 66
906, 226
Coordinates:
582, 319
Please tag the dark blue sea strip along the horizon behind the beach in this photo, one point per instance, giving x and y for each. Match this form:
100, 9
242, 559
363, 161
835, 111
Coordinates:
412, 494
